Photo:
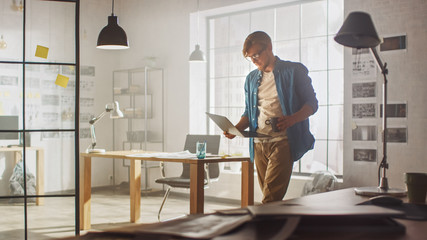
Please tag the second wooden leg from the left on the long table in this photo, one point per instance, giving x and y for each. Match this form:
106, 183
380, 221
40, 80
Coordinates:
135, 190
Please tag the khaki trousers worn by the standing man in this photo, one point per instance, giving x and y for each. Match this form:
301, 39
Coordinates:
274, 167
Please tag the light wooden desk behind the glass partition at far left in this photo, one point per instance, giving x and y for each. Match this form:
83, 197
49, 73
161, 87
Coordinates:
39, 167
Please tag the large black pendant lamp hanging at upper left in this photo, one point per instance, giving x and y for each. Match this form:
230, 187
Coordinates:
112, 36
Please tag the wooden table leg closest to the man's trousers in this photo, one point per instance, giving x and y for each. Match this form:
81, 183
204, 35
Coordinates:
247, 183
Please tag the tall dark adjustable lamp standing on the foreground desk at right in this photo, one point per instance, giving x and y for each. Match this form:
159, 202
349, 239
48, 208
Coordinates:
358, 31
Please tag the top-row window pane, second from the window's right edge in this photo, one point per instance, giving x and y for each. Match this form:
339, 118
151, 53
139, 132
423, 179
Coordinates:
314, 16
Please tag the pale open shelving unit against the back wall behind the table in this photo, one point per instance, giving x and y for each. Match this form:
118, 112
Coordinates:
140, 94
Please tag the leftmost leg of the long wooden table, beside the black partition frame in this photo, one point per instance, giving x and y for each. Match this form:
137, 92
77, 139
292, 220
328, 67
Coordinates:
85, 192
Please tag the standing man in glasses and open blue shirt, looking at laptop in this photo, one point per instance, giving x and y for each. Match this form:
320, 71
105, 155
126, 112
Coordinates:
280, 89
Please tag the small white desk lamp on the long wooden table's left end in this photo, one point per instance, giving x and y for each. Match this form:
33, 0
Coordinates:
114, 110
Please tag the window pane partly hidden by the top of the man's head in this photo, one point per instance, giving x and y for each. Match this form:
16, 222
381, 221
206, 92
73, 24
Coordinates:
239, 30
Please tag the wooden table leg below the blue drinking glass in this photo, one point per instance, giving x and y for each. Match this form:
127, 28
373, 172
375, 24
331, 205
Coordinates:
197, 176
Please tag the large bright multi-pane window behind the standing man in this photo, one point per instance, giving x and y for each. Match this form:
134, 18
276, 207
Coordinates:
301, 31
